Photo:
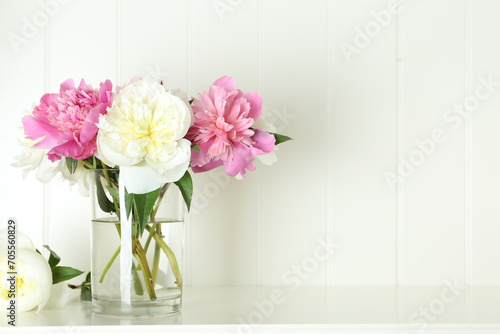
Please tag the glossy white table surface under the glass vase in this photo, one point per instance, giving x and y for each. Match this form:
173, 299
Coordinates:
303, 310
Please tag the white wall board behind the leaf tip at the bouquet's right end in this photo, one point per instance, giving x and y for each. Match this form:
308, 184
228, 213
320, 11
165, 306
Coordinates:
294, 60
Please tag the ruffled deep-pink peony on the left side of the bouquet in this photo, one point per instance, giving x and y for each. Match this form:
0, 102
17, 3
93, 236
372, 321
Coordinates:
67, 121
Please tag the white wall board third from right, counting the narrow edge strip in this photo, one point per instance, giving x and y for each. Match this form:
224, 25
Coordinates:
363, 146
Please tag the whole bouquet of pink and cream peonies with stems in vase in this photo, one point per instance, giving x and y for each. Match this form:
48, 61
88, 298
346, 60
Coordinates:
152, 135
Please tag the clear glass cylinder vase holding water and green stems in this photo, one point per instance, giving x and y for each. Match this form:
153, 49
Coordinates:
150, 282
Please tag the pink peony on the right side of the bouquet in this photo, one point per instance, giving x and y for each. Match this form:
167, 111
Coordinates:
222, 129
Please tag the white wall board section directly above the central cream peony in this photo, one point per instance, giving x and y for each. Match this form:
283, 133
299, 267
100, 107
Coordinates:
161, 47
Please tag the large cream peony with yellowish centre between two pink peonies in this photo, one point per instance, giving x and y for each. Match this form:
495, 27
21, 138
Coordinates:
142, 133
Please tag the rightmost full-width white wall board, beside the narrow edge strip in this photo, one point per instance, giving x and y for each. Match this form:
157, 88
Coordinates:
433, 213
